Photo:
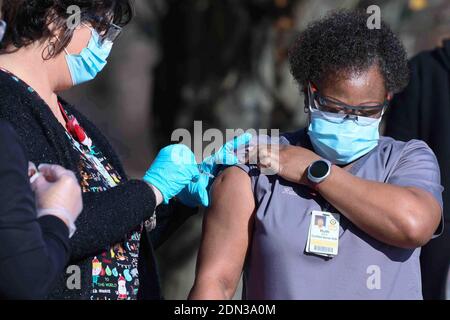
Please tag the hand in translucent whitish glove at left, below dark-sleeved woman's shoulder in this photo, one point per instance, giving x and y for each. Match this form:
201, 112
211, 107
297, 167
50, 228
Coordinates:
57, 193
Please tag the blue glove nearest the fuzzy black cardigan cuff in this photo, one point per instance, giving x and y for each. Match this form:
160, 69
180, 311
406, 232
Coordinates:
172, 170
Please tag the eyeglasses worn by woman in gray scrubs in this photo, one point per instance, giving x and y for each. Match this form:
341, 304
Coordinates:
330, 105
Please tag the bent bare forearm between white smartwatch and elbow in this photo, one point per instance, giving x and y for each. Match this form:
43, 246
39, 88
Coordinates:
389, 213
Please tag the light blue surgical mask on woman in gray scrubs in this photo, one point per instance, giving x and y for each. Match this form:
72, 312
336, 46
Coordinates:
342, 141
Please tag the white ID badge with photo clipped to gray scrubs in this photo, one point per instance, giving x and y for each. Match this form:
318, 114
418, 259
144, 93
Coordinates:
323, 234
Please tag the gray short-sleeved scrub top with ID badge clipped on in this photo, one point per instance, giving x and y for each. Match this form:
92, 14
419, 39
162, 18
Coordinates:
277, 266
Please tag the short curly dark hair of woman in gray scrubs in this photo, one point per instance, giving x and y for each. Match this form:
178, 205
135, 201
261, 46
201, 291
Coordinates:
341, 44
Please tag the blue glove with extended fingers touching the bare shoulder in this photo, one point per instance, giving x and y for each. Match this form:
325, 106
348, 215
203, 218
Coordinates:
197, 192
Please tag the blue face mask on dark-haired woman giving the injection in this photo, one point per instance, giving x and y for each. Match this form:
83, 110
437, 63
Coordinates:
85, 66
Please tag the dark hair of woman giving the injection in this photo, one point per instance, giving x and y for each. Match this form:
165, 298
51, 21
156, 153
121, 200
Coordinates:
29, 20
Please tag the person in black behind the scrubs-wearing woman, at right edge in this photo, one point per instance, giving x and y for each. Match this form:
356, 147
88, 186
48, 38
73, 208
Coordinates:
422, 111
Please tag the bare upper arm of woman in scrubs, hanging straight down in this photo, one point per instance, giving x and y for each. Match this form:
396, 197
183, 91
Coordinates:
227, 229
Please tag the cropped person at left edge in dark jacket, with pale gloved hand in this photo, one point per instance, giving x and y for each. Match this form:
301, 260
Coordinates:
34, 229
